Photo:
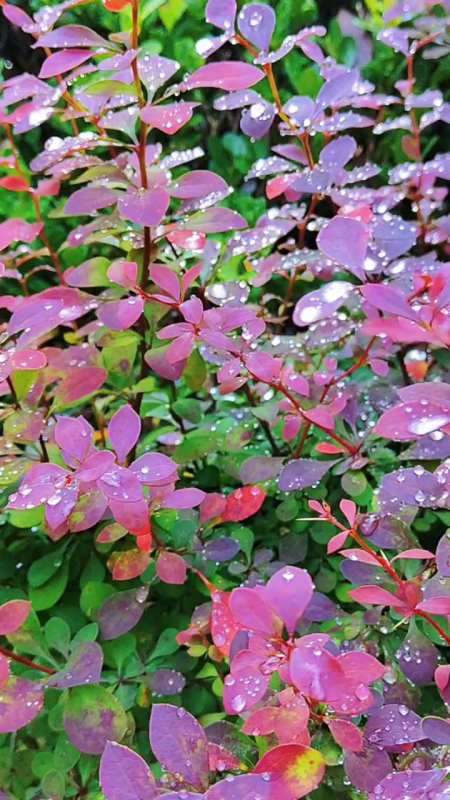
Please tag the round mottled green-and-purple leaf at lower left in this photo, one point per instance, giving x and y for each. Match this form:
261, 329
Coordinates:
92, 716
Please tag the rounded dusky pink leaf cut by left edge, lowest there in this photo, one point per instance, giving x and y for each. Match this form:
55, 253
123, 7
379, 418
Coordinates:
20, 702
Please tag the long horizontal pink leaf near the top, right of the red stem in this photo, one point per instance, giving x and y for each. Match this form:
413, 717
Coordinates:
228, 75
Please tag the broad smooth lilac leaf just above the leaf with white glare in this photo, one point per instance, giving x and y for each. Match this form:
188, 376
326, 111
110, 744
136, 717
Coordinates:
333, 241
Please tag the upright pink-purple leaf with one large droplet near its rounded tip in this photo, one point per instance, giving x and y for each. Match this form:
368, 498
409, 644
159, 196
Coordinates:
289, 592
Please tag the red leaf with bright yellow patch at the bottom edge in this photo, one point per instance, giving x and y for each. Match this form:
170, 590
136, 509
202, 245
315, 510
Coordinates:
294, 769
